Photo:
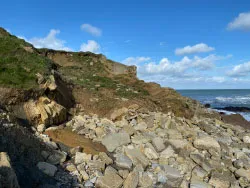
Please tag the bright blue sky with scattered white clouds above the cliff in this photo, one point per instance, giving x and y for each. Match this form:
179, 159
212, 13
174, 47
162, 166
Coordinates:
181, 44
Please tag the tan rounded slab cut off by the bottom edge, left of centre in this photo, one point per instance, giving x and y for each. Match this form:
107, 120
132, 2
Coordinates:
109, 180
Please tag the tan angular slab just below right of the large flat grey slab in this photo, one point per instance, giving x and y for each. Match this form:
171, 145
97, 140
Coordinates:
137, 157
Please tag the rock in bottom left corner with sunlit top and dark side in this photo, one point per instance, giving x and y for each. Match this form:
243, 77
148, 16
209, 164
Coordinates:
7, 174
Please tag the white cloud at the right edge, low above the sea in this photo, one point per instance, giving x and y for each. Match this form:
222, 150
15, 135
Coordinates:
240, 70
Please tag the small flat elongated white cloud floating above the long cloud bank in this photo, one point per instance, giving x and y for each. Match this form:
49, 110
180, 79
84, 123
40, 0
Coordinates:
198, 48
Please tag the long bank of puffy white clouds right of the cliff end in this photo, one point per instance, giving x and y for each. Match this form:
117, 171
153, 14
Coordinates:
179, 68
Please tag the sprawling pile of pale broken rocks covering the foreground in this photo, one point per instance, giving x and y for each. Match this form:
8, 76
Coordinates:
157, 150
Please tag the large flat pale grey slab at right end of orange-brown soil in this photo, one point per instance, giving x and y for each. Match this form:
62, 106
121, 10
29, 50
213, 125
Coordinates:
112, 141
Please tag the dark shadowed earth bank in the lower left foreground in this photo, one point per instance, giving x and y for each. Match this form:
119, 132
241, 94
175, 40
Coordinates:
24, 151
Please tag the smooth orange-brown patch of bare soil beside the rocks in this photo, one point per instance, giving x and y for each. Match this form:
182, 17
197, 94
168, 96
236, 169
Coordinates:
71, 139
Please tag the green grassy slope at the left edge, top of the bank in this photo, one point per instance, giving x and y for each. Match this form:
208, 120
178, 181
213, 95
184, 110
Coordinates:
18, 67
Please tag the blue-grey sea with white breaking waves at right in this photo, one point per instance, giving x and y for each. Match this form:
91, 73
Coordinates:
222, 98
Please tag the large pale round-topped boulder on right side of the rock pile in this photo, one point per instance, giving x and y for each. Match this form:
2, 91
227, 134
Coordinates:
208, 143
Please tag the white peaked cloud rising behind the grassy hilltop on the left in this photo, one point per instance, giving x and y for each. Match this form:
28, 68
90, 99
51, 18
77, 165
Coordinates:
50, 41
